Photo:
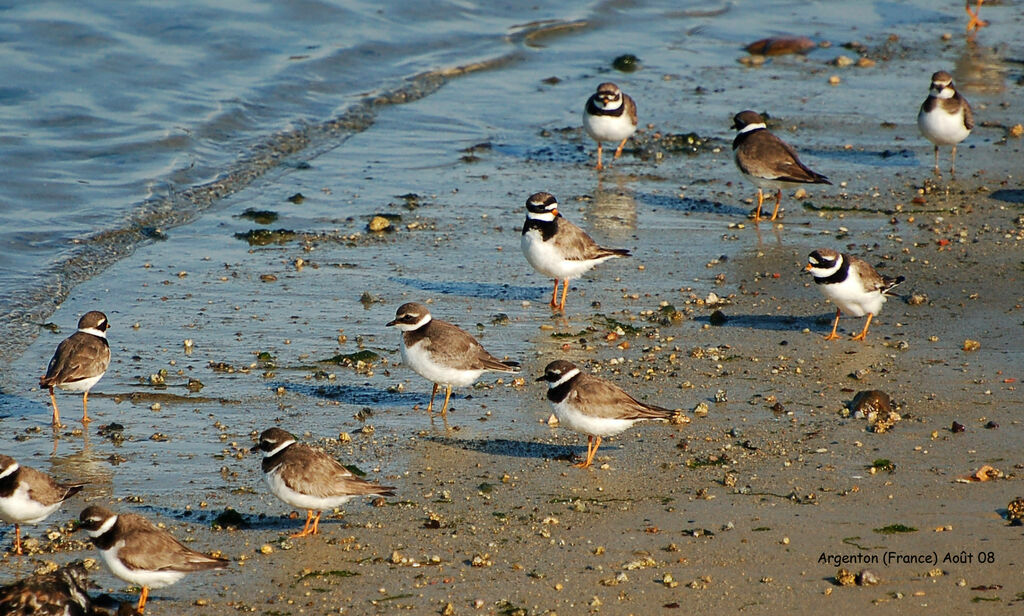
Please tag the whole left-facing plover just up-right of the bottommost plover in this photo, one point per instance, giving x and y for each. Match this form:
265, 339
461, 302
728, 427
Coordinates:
309, 478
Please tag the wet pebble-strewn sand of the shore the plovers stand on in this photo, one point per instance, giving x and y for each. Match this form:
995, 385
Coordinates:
732, 511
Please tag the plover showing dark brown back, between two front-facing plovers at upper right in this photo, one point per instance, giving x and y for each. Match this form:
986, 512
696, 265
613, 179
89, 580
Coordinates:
769, 162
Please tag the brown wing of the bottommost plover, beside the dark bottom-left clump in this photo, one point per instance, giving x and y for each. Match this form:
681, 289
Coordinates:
150, 549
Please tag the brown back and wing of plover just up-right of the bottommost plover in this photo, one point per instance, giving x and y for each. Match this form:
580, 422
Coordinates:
322, 476
